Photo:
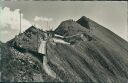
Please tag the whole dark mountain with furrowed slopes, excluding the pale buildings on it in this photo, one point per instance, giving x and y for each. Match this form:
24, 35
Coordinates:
94, 55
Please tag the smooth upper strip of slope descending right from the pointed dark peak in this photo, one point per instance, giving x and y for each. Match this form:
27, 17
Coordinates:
107, 36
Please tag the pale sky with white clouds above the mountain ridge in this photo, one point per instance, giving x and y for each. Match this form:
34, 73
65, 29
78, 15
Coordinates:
110, 14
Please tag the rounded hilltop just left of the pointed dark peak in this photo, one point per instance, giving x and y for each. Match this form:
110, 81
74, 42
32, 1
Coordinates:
70, 28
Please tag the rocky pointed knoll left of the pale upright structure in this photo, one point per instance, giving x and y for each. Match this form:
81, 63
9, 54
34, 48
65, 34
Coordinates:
30, 39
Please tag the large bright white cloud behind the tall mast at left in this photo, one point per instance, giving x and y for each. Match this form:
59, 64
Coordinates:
10, 23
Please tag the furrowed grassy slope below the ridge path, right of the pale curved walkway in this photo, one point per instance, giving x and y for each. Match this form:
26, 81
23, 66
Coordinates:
94, 61
